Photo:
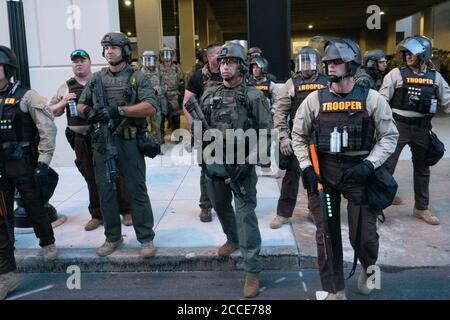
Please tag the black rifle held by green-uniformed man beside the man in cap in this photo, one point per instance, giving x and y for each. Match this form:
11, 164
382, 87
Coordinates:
104, 131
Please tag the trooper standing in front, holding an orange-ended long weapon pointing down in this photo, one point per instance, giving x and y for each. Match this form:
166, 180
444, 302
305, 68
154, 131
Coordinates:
345, 163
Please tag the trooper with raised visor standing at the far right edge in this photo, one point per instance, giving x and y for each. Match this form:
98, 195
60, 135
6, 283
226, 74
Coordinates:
414, 92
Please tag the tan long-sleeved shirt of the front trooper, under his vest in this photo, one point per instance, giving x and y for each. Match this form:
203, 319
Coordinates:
386, 132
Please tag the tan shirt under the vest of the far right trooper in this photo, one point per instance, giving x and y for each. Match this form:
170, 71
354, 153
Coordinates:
394, 80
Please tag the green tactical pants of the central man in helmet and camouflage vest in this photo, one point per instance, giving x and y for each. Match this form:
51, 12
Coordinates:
240, 226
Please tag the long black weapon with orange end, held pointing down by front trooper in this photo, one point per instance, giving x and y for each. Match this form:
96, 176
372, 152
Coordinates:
326, 213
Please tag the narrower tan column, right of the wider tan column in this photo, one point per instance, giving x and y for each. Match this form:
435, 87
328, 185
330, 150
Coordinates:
187, 33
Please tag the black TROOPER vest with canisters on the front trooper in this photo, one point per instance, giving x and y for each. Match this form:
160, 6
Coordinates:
346, 114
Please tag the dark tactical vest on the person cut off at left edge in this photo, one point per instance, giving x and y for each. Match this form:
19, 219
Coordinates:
16, 125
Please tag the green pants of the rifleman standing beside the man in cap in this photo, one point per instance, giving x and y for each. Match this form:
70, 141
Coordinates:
131, 162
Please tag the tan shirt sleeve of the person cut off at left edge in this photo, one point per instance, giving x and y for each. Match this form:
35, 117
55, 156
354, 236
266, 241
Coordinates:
36, 106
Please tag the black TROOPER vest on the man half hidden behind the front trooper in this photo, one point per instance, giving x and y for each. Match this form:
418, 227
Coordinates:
302, 90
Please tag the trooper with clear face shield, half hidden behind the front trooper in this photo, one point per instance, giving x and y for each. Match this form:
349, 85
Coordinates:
306, 80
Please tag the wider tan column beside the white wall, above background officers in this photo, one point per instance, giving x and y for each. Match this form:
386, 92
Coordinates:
149, 31
